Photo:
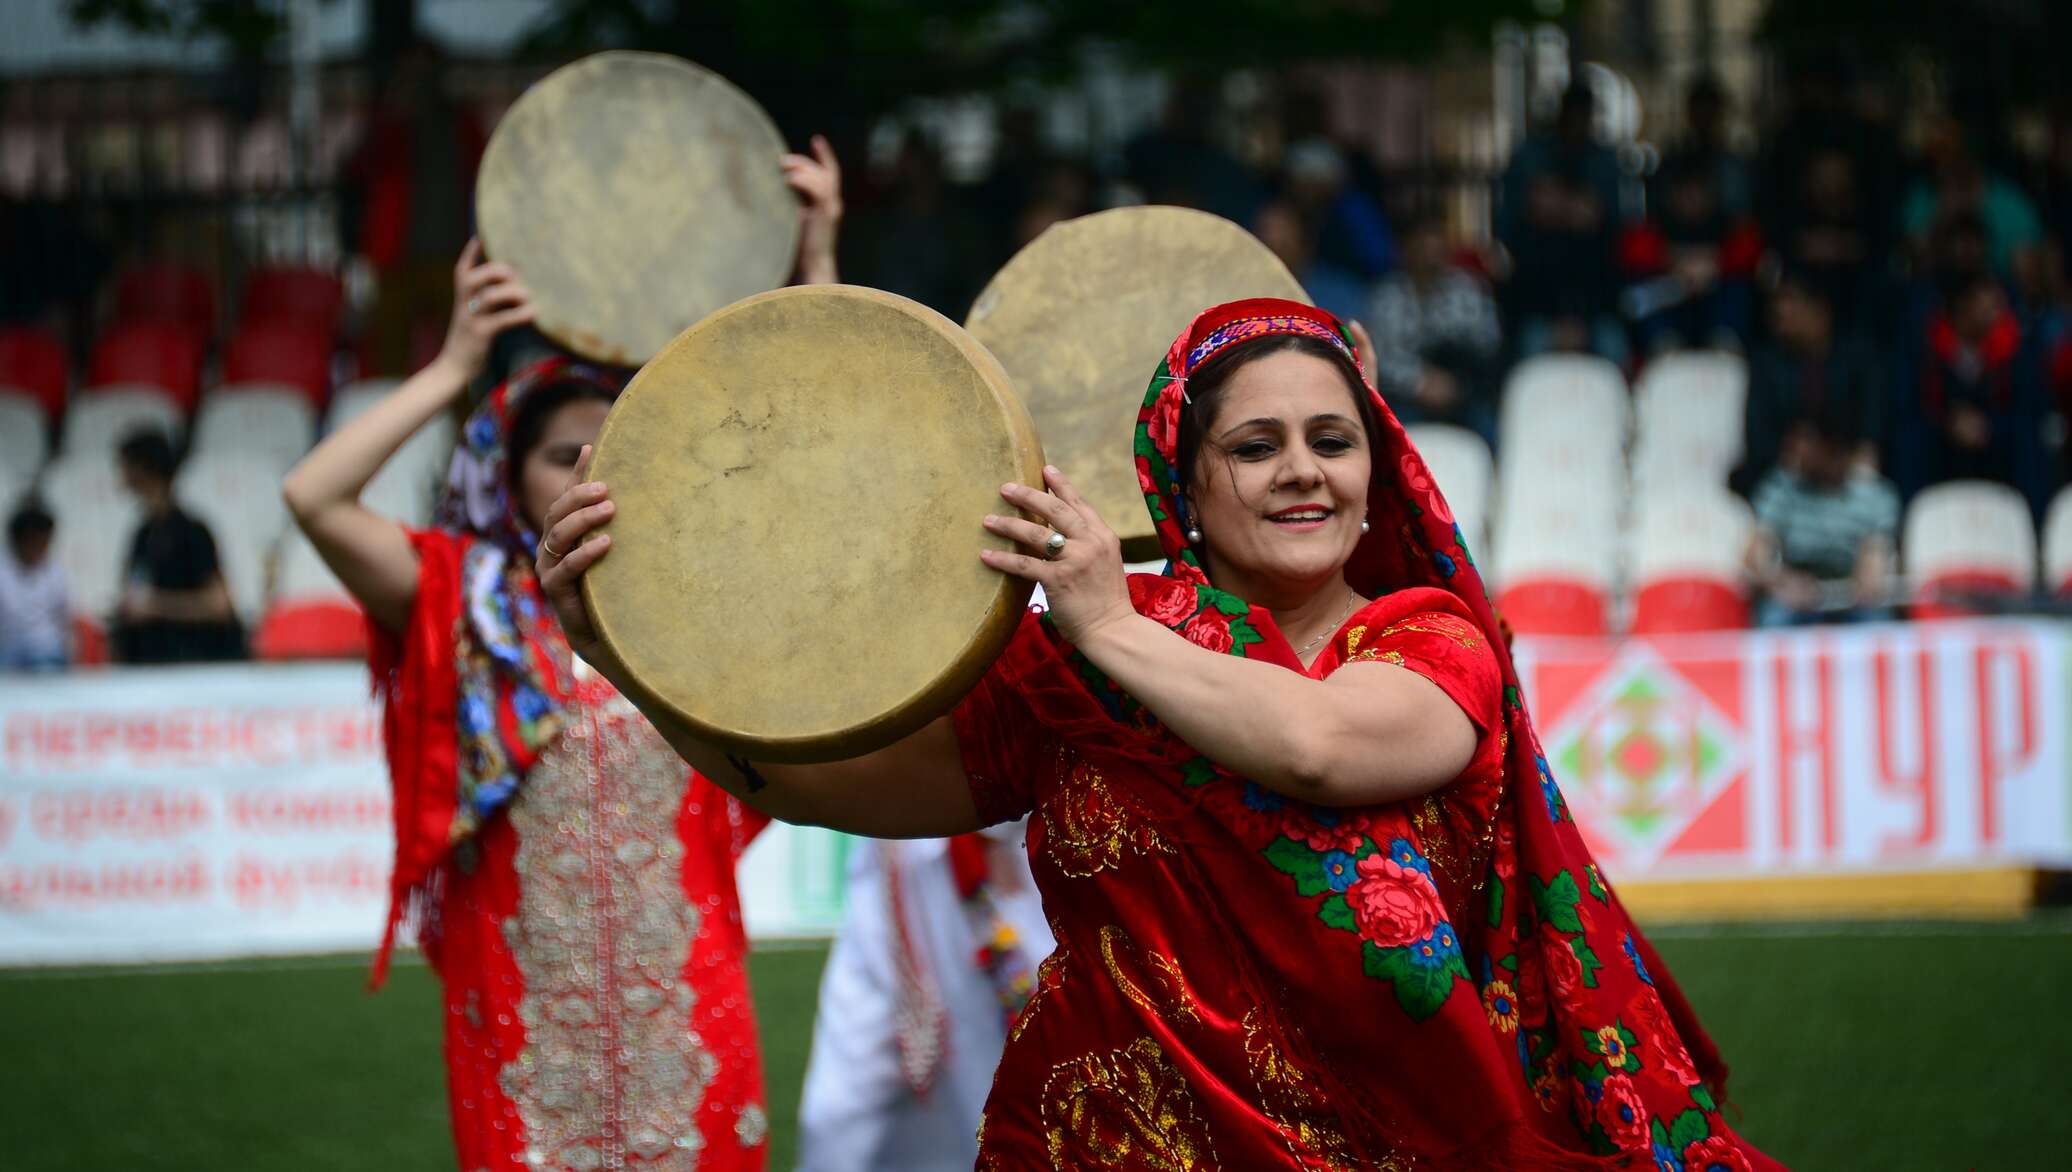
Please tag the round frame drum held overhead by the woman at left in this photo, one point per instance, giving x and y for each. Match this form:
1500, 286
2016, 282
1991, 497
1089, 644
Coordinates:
635, 194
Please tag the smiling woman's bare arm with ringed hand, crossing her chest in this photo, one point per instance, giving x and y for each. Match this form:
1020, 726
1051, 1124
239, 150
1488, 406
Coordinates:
1371, 732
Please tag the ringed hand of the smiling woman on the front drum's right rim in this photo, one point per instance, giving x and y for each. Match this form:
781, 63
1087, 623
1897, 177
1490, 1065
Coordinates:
1085, 585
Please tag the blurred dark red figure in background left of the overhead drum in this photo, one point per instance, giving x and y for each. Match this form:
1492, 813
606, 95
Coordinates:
411, 200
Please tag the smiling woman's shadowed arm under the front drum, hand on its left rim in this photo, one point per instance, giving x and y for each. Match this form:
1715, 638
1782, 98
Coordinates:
911, 790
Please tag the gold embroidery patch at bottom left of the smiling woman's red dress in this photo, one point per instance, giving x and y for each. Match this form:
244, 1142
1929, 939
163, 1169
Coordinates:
1128, 1111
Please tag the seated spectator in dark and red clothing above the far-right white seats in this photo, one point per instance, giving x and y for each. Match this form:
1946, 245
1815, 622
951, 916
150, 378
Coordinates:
1976, 407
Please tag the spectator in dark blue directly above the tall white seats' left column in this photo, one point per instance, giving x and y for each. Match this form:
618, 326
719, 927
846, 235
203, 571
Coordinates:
1559, 218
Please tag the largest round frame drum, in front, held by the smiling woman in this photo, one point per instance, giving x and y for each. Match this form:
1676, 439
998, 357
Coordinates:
795, 556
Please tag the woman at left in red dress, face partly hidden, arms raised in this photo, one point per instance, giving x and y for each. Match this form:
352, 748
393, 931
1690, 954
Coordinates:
571, 877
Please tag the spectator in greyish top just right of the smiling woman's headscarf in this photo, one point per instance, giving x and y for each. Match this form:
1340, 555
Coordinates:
1437, 343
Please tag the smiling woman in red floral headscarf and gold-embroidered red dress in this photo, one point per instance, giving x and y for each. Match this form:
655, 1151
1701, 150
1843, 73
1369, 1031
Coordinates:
1317, 896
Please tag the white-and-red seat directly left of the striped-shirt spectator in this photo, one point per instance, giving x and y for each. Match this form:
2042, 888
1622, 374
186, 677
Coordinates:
1688, 562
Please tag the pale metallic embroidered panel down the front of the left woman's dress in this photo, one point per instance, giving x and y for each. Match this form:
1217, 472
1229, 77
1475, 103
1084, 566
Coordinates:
612, 1072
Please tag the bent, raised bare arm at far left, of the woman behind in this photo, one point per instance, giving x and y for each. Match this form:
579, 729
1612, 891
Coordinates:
372, 554
